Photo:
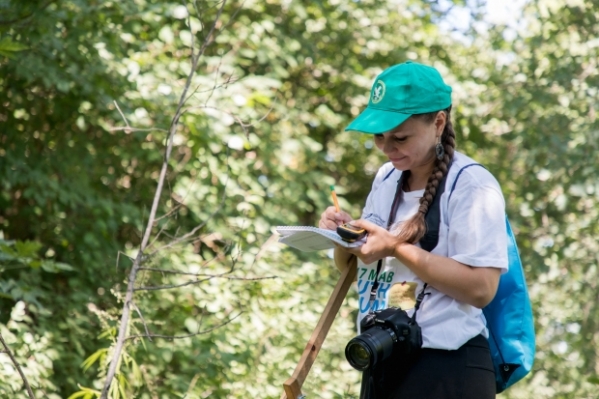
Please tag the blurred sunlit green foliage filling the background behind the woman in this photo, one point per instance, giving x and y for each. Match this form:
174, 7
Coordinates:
260, 142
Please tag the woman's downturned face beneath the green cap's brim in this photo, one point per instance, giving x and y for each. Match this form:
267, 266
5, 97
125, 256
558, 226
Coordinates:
411, 145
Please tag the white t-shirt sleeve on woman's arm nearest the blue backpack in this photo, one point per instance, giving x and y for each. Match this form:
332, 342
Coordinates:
477, 233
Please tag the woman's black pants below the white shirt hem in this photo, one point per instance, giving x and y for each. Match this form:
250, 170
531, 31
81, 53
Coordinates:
465, 373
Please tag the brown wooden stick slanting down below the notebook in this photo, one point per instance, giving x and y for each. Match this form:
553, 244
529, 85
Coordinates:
294, 383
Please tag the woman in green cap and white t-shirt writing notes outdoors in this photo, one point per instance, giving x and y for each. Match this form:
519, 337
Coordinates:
409, 116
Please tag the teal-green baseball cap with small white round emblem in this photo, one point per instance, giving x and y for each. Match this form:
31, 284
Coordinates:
399, 92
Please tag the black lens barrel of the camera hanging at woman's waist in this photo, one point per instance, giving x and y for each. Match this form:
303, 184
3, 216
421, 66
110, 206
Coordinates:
370, 347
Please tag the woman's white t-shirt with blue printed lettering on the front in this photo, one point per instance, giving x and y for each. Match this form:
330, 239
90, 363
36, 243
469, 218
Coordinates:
472, 231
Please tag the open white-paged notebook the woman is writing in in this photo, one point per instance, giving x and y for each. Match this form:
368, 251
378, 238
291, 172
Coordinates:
309, 238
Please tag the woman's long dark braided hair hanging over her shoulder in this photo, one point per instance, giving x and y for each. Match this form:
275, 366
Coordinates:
415, 228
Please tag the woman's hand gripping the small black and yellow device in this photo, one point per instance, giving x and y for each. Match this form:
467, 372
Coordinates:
379, 243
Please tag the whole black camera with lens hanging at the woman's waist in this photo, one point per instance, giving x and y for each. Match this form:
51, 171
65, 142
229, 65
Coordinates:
384, 333
